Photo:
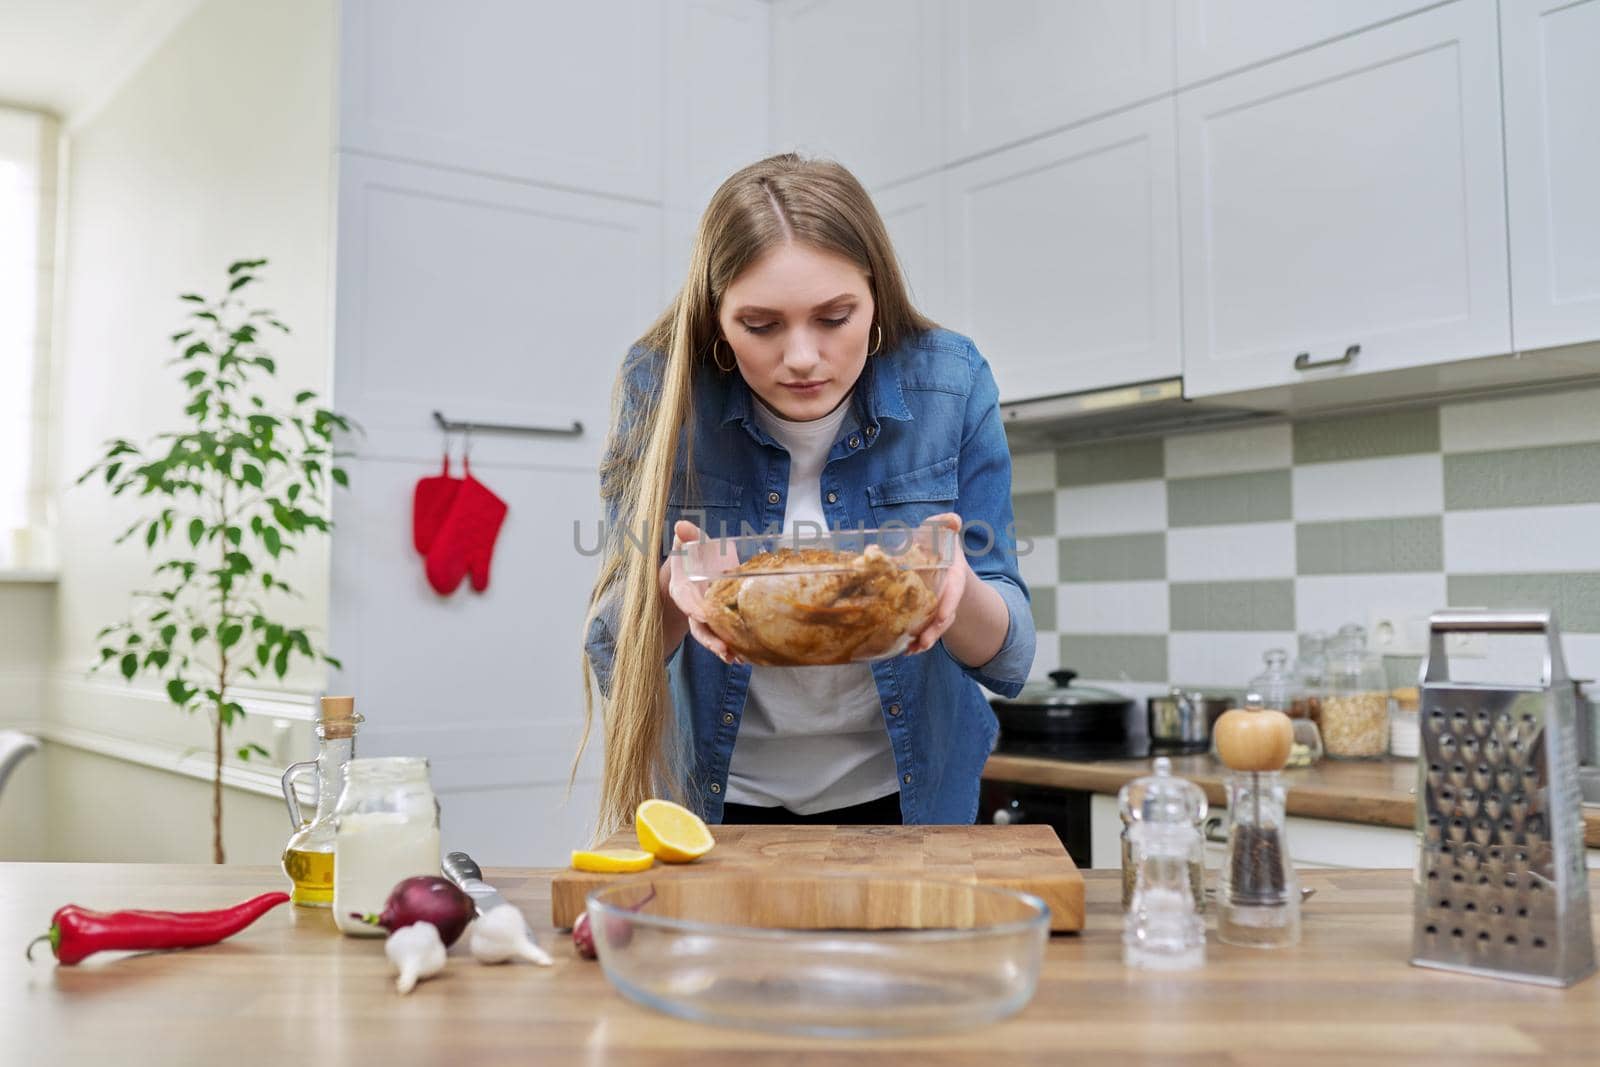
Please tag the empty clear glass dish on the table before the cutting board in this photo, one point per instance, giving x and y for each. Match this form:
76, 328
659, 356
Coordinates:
823, 956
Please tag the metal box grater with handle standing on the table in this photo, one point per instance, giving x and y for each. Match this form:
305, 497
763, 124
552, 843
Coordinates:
1502, 887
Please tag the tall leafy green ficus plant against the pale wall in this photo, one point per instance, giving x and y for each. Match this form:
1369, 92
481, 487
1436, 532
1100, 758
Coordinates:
231, 494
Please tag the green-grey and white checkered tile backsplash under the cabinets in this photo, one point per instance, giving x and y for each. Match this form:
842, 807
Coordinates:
1185, 559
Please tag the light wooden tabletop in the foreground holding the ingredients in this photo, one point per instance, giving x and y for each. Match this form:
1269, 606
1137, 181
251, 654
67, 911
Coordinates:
292, 991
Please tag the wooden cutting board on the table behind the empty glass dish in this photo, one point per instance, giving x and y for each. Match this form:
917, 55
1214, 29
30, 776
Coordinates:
788, 876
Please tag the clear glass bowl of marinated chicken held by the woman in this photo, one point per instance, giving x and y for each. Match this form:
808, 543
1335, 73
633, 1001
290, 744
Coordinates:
786, 601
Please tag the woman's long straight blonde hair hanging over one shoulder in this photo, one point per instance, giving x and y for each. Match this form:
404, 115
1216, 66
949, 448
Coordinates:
774, 202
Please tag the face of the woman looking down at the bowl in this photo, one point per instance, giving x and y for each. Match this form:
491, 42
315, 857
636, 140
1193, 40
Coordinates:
799, 322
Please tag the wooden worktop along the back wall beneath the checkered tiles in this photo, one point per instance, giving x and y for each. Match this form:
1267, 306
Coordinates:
1380, 793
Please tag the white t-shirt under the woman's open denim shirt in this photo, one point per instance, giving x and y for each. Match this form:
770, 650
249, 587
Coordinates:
812, 738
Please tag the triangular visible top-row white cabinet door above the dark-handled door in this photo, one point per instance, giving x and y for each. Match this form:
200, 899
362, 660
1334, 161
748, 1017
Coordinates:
1222, 36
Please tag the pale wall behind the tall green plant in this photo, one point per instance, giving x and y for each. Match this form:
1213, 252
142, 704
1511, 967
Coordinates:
215, 150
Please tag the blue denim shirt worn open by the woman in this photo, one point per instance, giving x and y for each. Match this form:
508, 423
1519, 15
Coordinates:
922, 438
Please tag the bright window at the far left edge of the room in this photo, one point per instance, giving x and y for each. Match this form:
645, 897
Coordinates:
28, 182
